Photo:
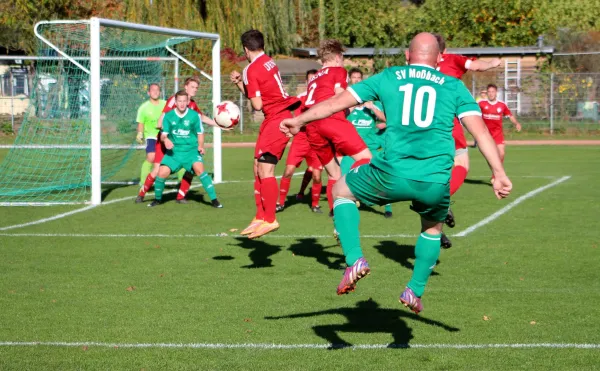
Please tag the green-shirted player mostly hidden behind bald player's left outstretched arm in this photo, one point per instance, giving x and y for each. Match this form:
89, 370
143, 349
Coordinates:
369, 121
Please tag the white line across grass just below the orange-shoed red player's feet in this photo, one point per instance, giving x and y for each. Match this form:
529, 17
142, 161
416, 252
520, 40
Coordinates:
221, 235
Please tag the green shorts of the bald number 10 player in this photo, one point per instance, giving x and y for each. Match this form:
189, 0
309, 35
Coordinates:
372, 186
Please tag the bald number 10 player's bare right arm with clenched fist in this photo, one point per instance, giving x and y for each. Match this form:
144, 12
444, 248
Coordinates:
487, 146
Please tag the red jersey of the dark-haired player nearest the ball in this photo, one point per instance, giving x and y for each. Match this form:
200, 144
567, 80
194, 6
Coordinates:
262, 79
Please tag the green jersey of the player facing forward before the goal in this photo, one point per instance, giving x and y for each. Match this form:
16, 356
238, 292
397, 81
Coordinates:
183, 130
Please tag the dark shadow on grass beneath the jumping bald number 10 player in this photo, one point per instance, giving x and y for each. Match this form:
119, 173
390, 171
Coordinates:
368, 318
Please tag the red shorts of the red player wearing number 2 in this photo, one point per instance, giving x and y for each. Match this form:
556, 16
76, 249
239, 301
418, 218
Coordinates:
329, 137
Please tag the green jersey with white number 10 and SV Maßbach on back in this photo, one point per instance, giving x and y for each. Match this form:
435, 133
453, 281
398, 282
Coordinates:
420, 105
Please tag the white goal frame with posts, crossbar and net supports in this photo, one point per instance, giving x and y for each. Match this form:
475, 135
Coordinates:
94, 72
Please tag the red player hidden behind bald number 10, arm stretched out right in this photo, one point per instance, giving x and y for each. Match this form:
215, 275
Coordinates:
456, 65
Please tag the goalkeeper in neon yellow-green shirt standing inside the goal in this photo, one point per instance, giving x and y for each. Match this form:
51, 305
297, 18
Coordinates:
147, 119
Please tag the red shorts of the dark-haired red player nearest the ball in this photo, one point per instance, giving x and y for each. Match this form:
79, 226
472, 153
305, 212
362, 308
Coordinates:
270, 138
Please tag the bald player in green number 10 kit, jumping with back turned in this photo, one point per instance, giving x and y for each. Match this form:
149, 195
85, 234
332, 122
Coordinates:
420, 104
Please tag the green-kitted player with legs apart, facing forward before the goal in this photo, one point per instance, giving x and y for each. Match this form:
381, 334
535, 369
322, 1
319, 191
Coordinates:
183, 137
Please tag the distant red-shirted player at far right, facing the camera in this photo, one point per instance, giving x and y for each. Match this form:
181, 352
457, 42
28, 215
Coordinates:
493, 111
